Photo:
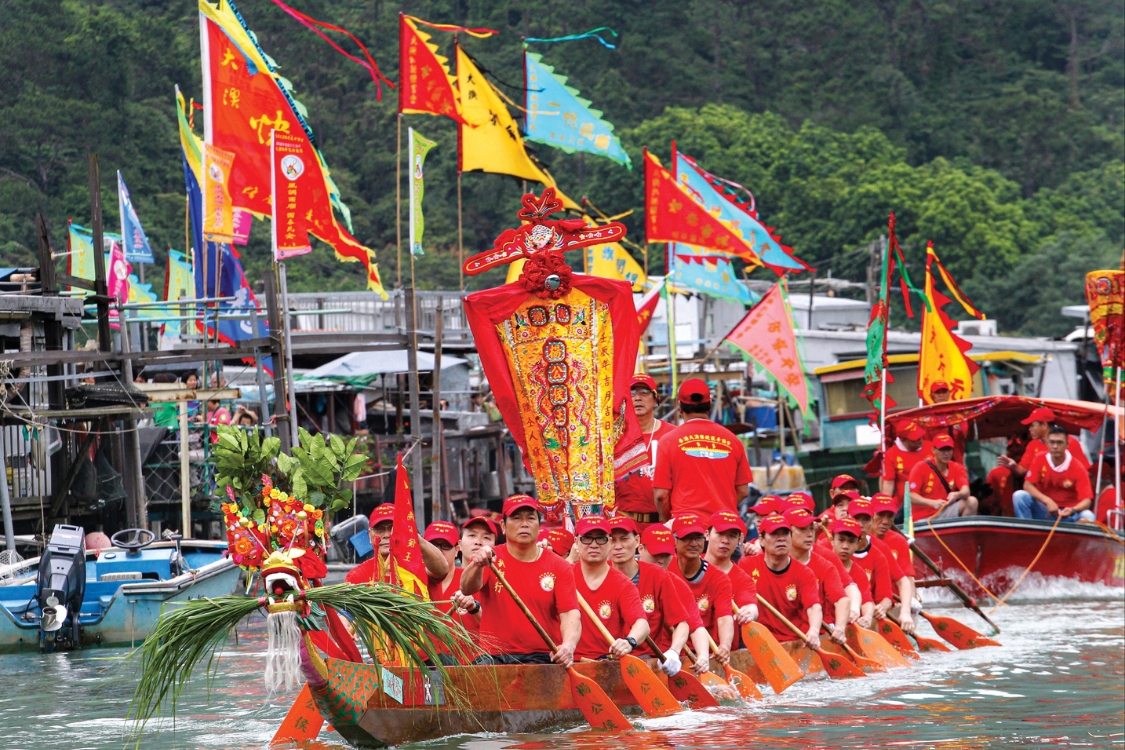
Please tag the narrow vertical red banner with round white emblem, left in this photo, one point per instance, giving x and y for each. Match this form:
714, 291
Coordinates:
293, 185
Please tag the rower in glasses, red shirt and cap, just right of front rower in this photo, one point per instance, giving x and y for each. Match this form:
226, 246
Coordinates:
613, 598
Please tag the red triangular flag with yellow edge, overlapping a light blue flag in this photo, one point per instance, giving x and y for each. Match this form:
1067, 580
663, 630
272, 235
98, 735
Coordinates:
672, 215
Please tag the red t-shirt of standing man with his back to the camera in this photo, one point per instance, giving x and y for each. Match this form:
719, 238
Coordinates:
701, 463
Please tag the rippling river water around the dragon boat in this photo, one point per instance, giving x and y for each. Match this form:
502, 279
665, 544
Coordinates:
1058, 682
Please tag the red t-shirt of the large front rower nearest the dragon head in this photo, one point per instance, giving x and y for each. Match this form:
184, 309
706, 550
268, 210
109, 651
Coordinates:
545, 585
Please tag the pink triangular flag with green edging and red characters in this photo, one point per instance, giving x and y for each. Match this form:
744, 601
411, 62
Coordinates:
767, 337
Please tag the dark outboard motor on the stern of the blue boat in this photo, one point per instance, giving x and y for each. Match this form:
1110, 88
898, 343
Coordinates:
61, 585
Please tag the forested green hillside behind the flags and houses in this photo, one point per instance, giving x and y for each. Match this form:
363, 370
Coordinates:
994, 128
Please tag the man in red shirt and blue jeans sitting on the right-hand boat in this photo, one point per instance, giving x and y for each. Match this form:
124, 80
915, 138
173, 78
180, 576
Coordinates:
1056, 485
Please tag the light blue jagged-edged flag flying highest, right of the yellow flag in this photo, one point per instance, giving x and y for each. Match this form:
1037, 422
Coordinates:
557, 116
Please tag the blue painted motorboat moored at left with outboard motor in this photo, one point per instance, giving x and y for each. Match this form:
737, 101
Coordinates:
73, 599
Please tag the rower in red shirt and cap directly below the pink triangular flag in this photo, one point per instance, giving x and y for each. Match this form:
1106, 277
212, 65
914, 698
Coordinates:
786, 584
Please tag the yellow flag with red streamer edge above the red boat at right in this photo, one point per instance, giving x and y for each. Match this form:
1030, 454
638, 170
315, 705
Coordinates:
943, 355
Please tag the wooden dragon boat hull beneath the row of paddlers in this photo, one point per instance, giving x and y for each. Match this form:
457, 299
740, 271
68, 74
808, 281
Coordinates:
368, 707
